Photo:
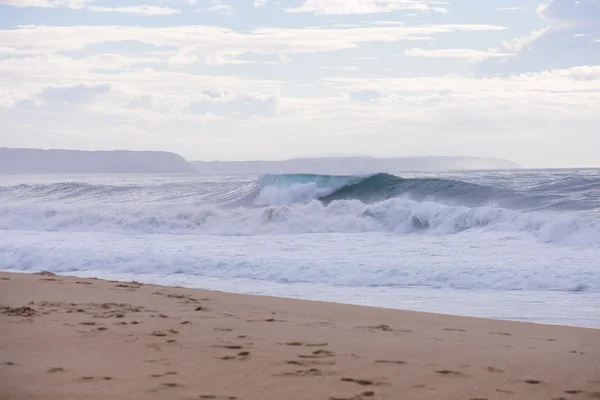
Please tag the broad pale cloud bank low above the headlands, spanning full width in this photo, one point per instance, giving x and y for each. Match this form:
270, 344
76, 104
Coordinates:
215, 116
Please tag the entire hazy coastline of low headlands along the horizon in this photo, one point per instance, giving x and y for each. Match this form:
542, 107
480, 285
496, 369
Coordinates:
37, 161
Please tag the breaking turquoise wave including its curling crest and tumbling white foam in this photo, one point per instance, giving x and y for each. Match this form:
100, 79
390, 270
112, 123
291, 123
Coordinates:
292, 204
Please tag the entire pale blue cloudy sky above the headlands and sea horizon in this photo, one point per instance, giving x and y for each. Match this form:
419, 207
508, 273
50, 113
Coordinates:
275, 79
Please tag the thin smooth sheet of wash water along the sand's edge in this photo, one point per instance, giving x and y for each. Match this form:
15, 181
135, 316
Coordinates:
520, 303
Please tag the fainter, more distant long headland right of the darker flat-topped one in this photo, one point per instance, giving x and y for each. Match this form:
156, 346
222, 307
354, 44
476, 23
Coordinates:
355, 165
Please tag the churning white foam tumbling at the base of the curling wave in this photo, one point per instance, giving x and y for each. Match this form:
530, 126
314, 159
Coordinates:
346, 216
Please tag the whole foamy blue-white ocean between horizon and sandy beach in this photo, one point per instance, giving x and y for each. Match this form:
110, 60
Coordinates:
517, 245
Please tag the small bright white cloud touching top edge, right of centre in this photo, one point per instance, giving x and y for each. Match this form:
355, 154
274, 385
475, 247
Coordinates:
357, 7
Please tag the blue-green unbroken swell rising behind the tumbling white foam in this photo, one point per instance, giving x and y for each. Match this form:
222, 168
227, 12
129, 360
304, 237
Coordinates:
573, 194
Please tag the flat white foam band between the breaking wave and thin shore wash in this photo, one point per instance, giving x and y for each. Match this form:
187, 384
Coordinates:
495, 261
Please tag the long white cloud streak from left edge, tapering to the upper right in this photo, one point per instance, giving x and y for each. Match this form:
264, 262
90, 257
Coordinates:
215, 45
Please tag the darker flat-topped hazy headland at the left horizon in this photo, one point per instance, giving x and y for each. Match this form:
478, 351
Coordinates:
38, 161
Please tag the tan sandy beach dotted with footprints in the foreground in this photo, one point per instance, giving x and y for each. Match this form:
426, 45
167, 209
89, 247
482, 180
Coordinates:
72, 338
